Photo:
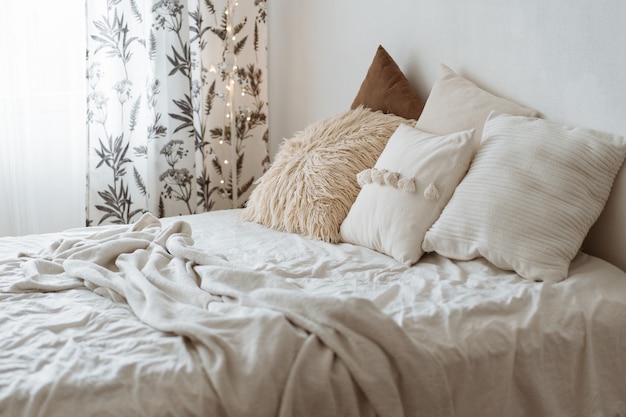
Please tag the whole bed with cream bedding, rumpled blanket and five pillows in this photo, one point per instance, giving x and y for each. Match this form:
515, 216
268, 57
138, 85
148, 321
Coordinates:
393, 261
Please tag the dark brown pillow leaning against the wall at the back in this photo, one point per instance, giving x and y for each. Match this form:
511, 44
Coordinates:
385, 88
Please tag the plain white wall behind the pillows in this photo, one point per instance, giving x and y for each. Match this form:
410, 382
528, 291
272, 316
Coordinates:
567, 59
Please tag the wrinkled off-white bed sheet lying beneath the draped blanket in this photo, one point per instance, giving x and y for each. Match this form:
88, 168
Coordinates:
508, 347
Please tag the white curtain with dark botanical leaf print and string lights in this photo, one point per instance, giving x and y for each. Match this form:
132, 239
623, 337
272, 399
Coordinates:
177, 106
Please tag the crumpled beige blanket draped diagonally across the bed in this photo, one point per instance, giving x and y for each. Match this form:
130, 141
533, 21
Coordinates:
268, 347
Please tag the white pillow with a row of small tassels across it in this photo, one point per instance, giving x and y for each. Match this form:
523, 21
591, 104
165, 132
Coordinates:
406, 190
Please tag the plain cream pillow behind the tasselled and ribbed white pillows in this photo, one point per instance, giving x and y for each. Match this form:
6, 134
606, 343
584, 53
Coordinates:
456, 104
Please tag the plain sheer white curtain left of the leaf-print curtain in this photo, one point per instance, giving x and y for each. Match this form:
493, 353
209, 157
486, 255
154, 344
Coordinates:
42, 116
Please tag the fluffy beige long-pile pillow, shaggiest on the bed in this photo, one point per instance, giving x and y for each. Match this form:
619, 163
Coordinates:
312, 183
